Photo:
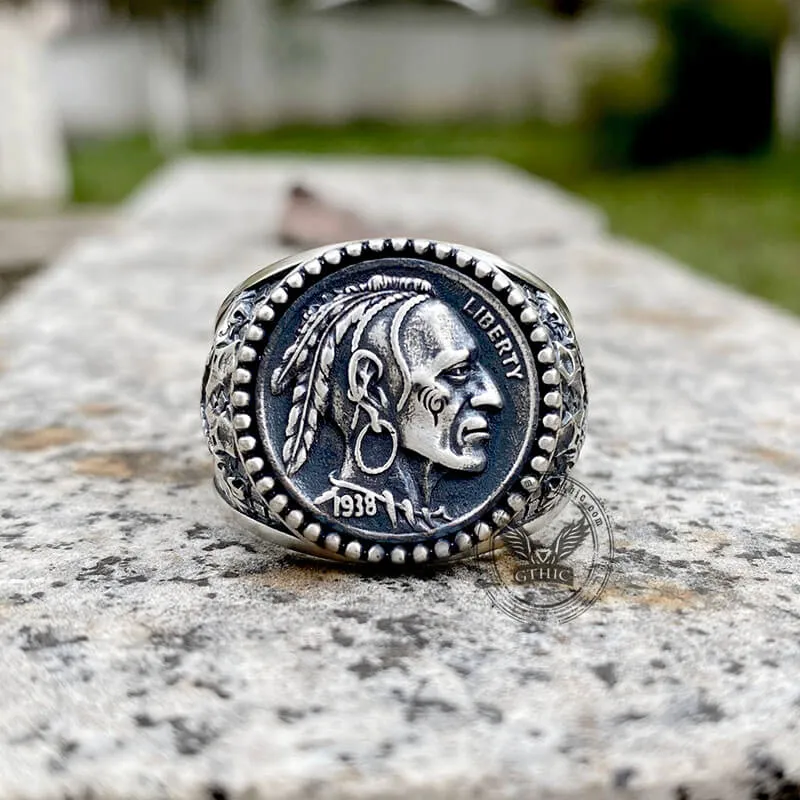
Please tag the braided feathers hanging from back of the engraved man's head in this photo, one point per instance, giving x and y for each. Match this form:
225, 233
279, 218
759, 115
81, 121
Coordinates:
307, 362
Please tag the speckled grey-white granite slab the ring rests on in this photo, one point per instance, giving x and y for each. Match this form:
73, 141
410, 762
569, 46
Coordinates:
148, 648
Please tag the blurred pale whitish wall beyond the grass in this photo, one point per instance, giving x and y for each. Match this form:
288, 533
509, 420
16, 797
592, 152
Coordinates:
265, 70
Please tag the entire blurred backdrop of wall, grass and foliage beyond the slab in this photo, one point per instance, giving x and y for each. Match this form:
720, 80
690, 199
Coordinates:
679, 118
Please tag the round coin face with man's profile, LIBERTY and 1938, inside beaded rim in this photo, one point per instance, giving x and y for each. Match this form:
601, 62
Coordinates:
391, 394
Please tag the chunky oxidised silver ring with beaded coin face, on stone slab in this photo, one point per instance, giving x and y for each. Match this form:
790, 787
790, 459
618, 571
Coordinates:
395, 401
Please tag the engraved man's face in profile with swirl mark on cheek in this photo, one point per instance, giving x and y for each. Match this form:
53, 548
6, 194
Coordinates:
445, 418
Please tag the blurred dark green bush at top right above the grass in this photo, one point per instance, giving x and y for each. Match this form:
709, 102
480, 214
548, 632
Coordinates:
707, 89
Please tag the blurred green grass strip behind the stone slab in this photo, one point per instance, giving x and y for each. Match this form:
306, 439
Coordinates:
738, 221
